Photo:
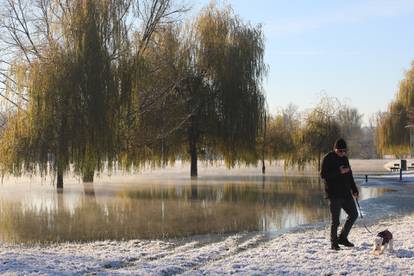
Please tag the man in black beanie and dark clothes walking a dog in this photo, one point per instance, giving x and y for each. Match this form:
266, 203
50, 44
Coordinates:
340, 189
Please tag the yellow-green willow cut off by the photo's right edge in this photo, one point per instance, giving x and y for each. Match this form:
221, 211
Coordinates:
391, 135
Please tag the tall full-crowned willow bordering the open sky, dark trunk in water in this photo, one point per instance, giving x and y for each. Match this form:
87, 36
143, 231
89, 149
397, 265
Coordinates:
220, 90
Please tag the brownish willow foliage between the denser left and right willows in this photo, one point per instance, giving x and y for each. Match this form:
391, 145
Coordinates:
153, 113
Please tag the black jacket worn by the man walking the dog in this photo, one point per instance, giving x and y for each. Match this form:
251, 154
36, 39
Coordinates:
337, 185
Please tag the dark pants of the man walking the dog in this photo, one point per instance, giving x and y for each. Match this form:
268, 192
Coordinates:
336, 204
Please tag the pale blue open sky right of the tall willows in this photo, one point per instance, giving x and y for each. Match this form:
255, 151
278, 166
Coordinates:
355, 50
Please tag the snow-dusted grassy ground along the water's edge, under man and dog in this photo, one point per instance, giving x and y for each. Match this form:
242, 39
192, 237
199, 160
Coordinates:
302, 251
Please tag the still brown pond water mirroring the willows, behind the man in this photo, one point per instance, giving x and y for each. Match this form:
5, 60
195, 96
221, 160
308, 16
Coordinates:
88, 212
